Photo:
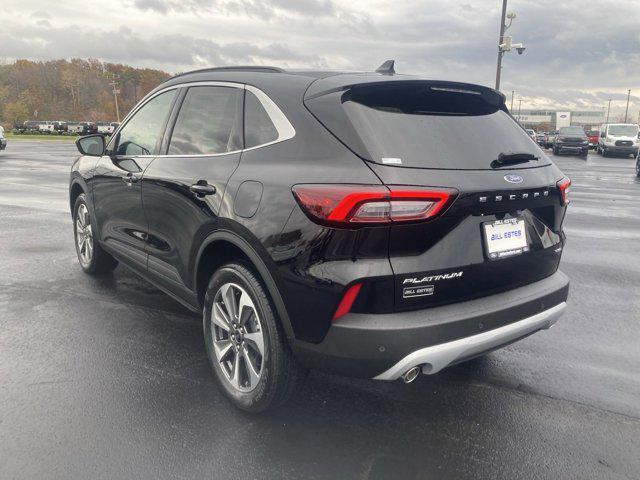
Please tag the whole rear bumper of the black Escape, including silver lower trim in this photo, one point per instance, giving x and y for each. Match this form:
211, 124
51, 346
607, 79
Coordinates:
385, 346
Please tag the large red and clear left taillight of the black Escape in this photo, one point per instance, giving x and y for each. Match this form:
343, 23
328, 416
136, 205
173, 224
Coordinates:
352, 205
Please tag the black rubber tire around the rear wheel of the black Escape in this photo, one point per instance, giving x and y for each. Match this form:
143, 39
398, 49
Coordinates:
280, 374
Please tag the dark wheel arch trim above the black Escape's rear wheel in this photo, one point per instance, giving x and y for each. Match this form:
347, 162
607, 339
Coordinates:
226, 245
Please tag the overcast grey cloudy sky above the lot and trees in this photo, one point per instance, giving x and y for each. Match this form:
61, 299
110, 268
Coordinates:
579, 53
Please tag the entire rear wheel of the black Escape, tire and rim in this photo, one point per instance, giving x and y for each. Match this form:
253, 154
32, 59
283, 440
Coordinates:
245, 342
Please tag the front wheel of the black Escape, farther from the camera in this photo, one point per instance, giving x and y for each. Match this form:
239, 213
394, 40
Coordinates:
93, 259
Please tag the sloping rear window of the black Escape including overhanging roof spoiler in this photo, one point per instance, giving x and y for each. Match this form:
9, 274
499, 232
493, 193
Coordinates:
424, 125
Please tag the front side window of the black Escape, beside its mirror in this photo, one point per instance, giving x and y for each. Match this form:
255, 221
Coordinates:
142, 132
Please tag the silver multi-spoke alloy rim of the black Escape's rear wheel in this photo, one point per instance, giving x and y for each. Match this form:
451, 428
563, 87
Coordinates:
238, 340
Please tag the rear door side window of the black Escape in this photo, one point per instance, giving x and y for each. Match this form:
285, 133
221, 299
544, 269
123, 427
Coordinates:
208, 122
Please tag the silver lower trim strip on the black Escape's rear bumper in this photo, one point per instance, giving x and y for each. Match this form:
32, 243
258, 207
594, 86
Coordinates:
435, 358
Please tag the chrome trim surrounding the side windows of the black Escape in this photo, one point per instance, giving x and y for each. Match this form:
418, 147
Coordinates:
280, 121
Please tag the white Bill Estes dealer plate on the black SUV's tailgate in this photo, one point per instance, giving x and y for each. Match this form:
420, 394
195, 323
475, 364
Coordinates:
505, 238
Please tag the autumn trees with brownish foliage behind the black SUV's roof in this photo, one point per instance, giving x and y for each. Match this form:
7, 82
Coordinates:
72, 90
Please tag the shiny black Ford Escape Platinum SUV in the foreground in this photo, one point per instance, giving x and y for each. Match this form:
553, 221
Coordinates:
372, 224
